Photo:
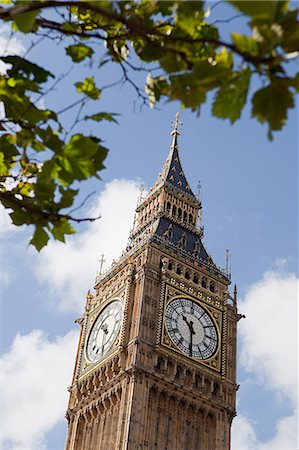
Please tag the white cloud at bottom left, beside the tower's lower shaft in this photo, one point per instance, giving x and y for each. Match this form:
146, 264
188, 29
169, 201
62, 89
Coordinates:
35, 373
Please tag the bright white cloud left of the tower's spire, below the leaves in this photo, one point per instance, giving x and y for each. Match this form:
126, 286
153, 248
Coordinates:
70, 269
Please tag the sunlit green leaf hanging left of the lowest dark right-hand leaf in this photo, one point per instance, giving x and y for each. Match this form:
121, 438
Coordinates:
231, 97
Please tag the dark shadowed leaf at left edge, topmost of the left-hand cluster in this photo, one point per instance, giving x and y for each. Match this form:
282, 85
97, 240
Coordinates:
23, 66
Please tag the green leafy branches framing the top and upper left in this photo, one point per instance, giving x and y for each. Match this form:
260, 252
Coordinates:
175, 44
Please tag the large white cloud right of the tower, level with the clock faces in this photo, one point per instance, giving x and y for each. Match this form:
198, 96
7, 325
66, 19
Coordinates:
269, 334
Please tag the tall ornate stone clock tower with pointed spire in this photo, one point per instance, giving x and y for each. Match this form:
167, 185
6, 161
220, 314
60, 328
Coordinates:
156, 361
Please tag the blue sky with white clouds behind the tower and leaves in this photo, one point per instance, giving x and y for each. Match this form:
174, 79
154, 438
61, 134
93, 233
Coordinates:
249, 192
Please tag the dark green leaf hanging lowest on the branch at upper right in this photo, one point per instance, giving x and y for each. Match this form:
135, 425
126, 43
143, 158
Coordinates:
271, 104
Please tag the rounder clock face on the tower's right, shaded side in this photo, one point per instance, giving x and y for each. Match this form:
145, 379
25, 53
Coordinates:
191, 328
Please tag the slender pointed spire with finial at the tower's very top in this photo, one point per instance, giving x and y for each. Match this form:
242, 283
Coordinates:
172, 172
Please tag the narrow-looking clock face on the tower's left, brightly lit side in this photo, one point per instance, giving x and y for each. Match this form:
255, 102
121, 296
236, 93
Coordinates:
104, 331
